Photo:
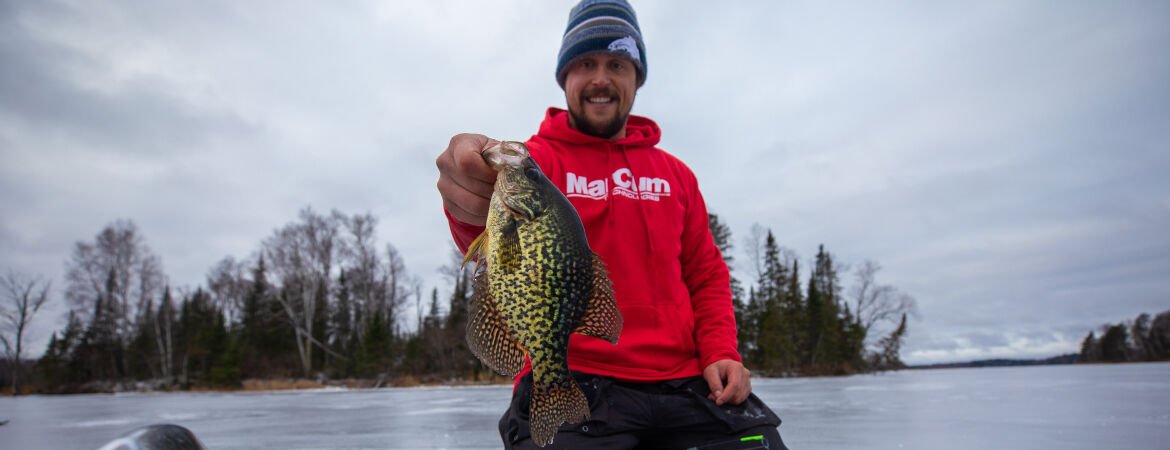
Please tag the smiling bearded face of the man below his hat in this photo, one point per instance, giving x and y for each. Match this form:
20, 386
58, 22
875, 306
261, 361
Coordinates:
600, 93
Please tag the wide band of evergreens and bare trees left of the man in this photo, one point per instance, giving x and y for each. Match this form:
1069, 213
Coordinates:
320, 300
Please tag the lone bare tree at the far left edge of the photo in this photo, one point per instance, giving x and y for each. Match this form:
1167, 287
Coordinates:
24, 297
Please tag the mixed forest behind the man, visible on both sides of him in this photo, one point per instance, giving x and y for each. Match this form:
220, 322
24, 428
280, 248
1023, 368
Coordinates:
322, 300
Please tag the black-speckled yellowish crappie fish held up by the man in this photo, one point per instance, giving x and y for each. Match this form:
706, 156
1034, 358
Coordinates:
541, 283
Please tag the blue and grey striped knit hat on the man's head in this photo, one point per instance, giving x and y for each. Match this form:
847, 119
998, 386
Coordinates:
602, 26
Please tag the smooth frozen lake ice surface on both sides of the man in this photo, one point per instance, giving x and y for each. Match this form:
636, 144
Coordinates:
1050, 407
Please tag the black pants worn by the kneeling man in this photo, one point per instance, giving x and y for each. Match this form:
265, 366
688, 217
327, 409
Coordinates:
673, 414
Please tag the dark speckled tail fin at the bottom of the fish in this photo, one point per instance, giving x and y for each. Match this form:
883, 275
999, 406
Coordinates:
558, 403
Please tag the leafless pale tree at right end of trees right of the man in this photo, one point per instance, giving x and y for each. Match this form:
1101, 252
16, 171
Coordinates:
879, 303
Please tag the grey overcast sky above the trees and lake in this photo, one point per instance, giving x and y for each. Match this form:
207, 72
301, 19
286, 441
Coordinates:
1007, 163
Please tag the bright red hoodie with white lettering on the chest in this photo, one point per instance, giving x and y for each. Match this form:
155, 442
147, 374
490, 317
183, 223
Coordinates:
645, 217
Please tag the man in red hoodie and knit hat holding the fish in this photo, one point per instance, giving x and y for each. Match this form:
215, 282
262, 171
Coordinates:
676, 379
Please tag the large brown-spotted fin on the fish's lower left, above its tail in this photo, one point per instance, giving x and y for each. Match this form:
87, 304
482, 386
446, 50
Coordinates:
487, 336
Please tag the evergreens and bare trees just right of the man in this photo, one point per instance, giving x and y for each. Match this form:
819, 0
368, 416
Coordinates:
817, 328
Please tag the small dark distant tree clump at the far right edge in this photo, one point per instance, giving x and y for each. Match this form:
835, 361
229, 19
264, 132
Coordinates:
1141, 340
